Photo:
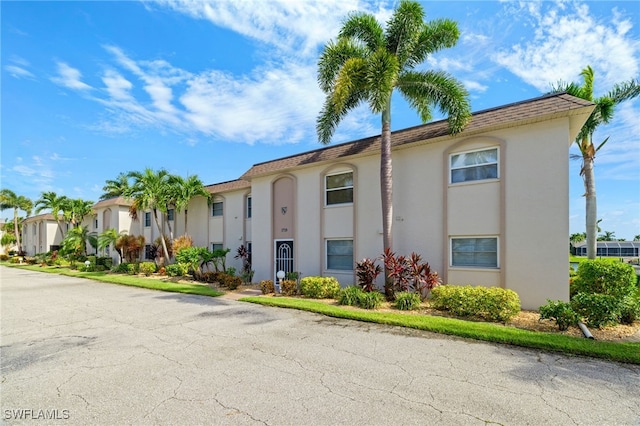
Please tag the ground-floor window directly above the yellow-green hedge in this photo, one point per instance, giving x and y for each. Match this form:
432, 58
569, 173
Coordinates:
475, 252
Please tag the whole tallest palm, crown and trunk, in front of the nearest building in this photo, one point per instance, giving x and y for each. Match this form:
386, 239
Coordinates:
368, 62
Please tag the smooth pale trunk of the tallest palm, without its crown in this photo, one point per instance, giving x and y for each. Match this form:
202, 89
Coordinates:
386, 191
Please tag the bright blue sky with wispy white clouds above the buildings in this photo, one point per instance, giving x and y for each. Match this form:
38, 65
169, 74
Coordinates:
92, 89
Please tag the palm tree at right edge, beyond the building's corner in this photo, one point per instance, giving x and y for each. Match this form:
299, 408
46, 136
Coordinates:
602, 114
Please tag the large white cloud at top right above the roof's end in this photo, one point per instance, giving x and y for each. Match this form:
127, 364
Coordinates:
566, 41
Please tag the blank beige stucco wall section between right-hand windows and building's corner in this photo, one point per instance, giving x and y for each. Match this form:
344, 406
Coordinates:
537, 213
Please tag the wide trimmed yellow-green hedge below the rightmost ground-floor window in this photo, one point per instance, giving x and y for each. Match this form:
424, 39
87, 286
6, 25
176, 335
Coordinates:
489, 303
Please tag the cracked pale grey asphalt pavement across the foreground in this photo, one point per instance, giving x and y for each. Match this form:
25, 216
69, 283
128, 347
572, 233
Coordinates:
75, 351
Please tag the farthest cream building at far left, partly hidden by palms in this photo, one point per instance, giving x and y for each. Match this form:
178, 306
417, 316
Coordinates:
42, 233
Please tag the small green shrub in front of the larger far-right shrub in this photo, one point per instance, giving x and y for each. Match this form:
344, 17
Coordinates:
597, 310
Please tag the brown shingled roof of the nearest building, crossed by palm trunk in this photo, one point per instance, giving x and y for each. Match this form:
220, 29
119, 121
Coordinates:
529, 111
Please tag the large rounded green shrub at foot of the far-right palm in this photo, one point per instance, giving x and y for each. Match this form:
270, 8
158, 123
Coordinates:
605, 277
